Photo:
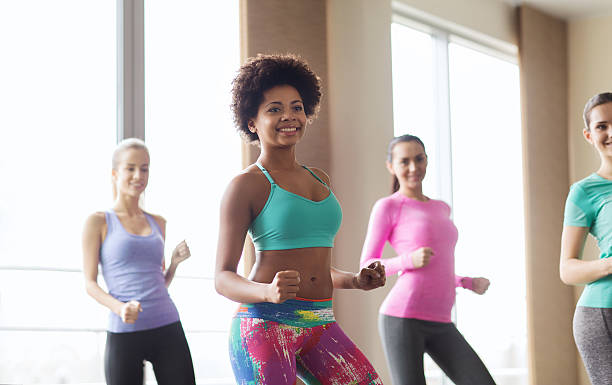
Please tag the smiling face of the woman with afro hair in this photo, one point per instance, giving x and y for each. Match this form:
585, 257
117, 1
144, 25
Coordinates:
280, 119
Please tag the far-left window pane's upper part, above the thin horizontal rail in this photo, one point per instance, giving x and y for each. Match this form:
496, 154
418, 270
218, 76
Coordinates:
58, 98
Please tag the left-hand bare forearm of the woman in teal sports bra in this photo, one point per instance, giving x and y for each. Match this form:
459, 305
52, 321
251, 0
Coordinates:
240, 289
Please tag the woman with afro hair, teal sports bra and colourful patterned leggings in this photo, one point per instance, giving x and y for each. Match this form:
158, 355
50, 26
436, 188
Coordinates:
284, 327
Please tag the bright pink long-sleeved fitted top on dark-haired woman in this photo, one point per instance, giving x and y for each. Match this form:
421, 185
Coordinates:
426, 293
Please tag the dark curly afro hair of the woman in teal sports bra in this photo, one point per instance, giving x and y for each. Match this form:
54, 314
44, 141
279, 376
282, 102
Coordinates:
263, 72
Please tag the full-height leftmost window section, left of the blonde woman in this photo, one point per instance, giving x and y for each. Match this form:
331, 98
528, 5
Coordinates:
58, 99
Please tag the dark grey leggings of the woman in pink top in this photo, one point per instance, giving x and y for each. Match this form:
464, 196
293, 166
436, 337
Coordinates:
405, 340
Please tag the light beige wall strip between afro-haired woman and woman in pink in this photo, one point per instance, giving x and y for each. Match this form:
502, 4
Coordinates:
360, 99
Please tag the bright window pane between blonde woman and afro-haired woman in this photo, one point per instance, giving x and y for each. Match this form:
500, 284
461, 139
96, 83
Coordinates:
192, 54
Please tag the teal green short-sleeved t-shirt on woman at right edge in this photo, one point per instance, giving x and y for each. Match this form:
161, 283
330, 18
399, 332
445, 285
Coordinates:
589, 204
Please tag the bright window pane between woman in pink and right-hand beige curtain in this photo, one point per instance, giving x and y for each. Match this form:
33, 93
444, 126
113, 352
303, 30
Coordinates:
488, 208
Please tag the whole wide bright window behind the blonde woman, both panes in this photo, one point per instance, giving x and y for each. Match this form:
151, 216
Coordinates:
59, 125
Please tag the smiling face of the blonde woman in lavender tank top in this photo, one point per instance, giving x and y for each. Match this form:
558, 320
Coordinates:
131, 174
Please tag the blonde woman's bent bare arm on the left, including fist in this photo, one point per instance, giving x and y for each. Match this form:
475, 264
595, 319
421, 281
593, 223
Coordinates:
93, 232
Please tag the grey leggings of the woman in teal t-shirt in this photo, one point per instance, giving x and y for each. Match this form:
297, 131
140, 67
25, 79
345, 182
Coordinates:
594, 341
